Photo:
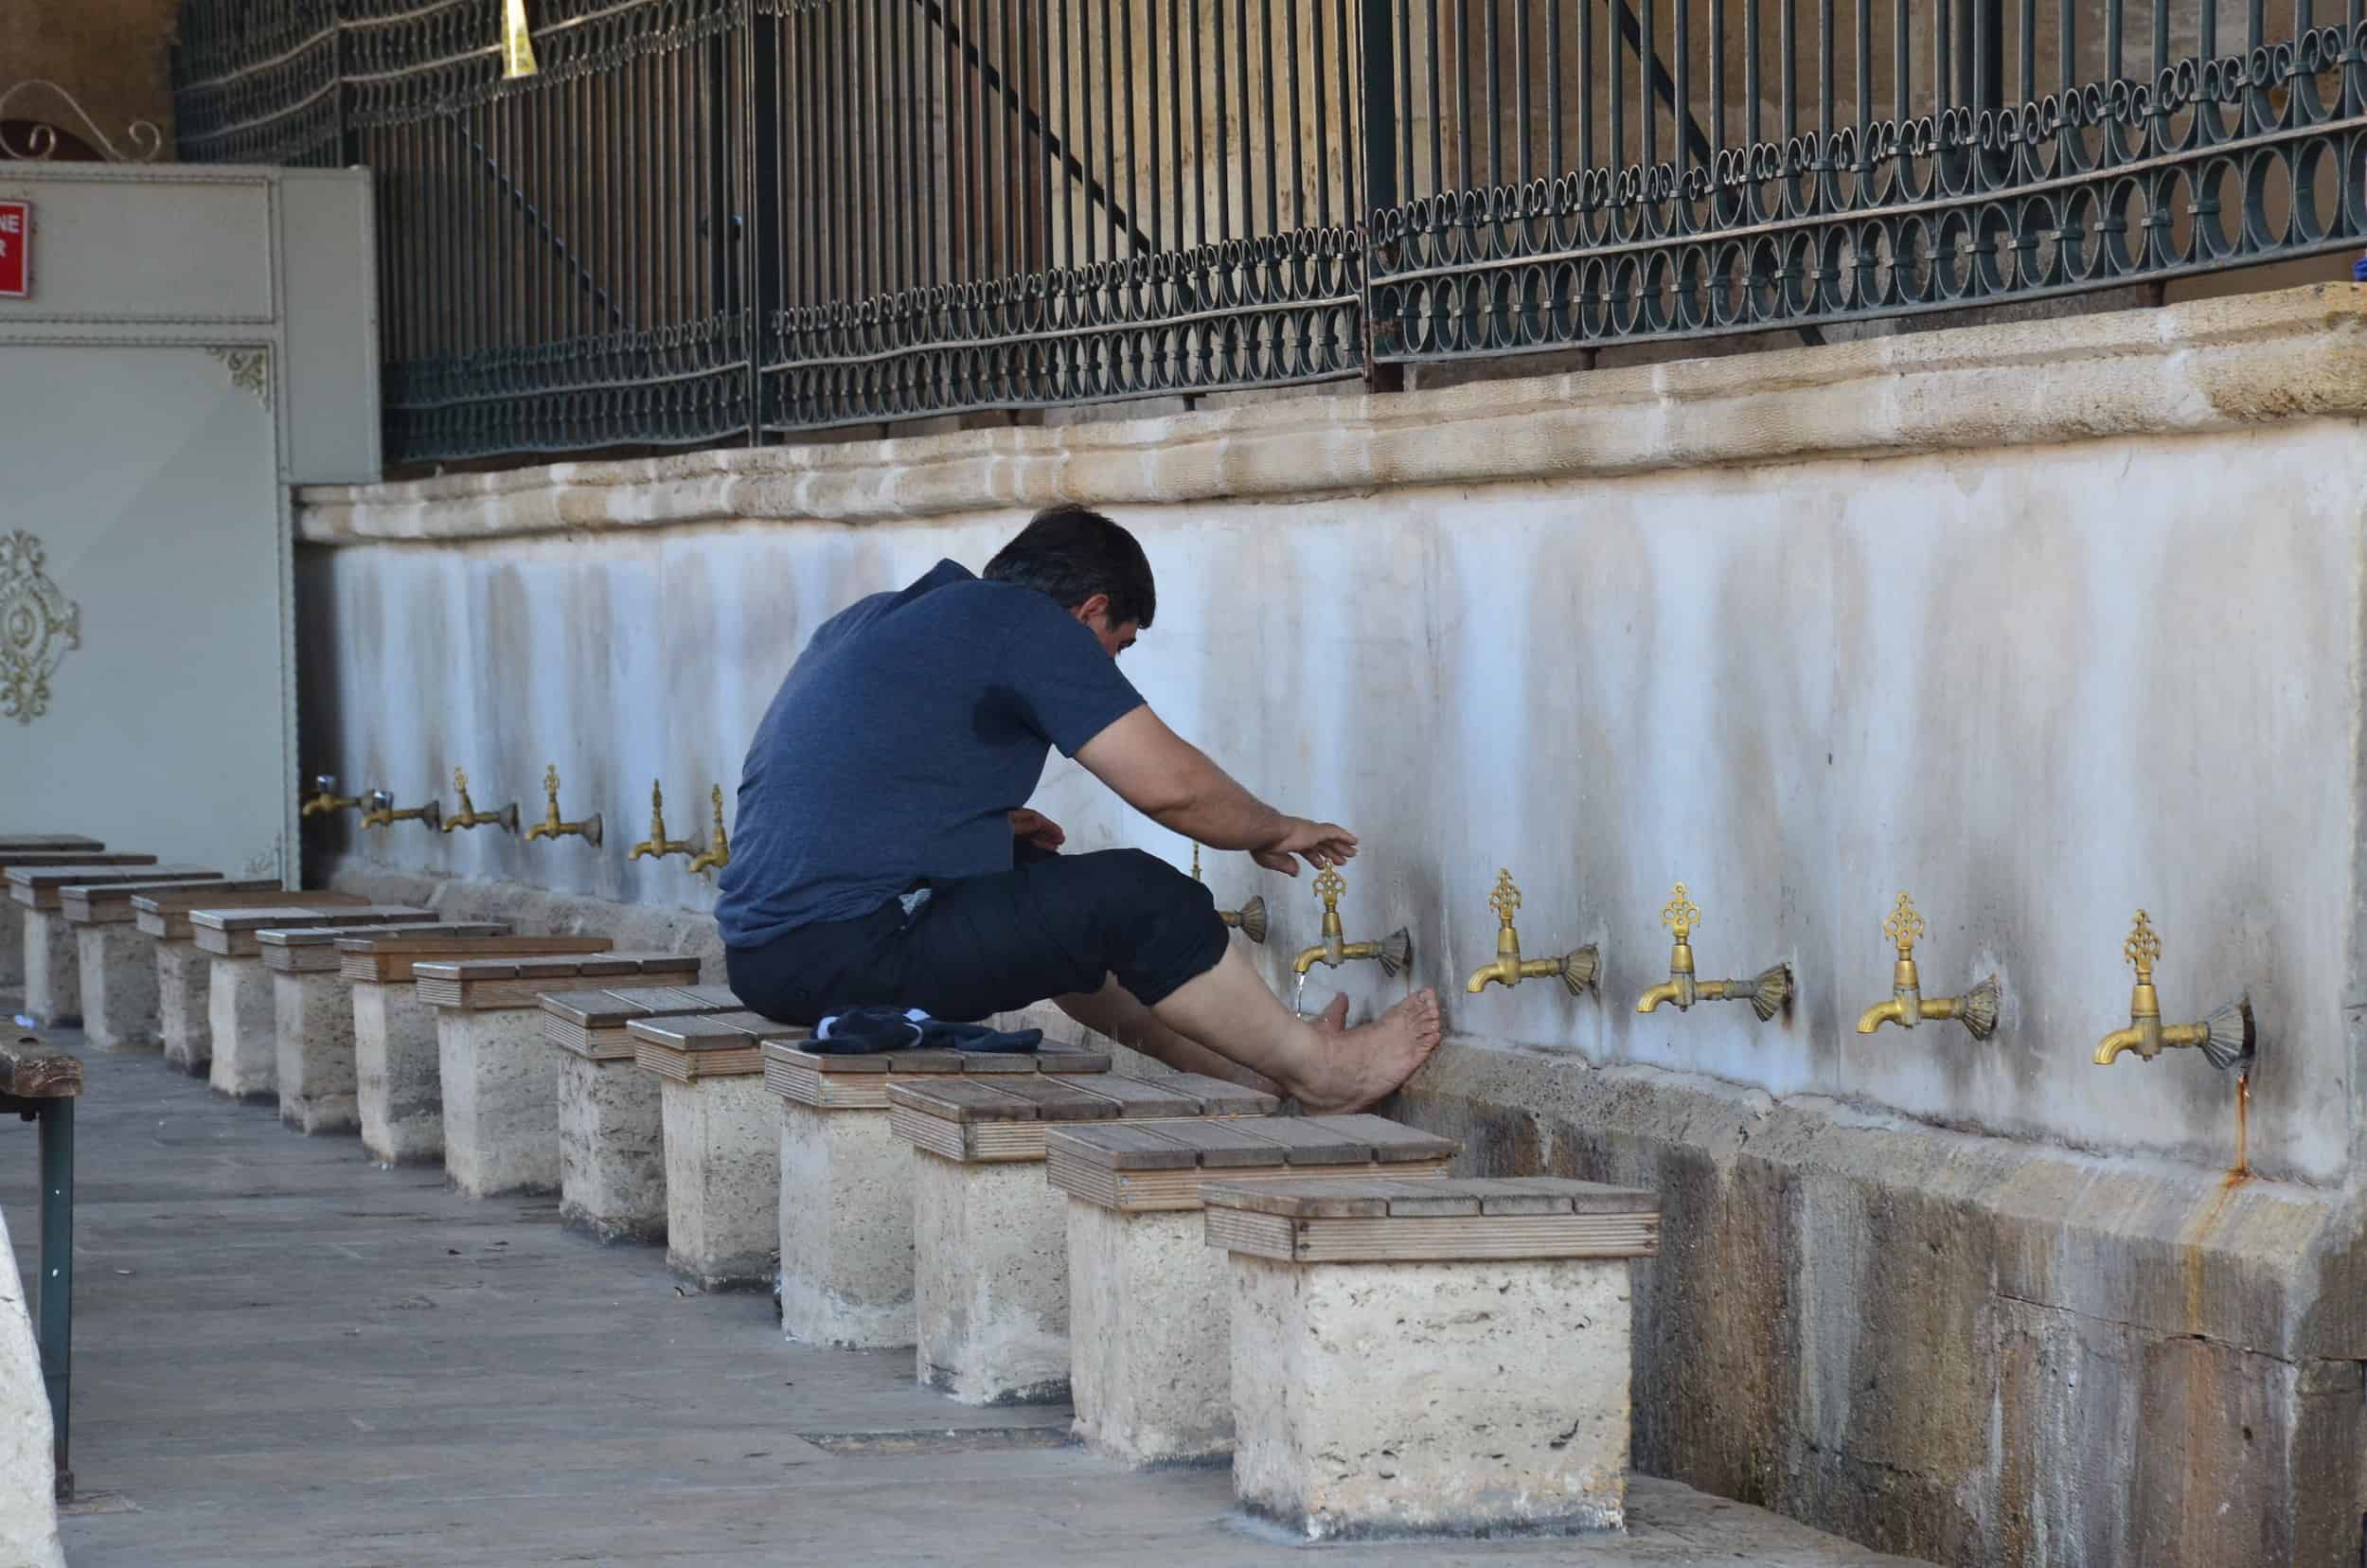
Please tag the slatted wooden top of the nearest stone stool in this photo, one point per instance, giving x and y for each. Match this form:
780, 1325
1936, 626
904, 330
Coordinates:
1462, 1219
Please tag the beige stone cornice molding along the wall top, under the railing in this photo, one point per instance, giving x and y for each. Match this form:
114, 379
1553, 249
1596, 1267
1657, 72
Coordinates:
2205, 366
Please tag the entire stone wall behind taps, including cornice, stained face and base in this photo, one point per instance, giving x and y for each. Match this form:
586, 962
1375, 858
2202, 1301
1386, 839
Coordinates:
2042, 624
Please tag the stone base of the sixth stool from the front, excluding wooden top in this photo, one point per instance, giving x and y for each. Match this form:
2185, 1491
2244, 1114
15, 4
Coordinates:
612, 1148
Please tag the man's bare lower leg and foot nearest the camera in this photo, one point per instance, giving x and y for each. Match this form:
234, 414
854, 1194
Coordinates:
1232, 1013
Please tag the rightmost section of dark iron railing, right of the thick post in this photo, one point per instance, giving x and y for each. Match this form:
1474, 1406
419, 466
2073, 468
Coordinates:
1642, 169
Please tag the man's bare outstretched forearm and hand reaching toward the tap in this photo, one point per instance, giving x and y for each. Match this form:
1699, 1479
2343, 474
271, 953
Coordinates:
1173, 783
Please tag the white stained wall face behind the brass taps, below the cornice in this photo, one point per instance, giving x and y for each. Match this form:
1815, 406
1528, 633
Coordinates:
2032, 688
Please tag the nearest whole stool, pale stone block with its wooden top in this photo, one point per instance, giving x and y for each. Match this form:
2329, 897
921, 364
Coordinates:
1419, 1365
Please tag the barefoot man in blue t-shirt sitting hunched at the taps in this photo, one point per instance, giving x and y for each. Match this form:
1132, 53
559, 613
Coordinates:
882, 852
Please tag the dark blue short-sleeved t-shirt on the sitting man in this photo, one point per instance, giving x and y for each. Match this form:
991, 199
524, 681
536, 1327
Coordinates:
901, 743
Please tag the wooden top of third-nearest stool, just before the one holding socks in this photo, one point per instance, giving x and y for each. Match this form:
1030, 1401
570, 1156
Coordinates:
988, 1119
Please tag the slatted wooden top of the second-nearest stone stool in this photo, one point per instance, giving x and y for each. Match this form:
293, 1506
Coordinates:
1163, 1167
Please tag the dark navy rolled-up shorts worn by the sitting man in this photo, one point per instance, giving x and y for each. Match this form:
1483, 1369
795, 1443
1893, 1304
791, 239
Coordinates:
995, 944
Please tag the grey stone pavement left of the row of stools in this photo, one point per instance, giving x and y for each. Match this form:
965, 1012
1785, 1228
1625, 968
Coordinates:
292, 1358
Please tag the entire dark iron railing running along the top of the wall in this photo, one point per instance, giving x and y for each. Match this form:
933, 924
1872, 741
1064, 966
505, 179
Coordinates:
721, 221
